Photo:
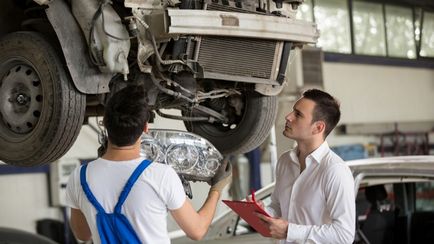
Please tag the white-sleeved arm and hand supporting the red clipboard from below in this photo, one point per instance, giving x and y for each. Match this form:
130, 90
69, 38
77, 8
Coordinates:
341, 204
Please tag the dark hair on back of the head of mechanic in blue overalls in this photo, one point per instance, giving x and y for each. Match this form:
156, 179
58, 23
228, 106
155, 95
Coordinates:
126, 114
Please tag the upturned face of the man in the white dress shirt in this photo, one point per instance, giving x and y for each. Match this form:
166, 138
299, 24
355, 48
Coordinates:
299, 124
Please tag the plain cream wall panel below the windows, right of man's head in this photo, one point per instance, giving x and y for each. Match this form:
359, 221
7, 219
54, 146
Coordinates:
376, 94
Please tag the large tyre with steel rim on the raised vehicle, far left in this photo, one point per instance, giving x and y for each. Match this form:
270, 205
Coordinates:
41, 112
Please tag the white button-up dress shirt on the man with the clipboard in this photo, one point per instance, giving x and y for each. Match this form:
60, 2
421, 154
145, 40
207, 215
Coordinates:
319, 203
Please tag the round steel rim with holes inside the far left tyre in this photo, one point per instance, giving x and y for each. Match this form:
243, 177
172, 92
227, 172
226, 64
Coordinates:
20, 97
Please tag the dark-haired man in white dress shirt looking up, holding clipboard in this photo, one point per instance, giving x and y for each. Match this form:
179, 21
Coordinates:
313, 200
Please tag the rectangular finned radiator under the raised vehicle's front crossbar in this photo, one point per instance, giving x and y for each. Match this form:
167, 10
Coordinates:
235, 56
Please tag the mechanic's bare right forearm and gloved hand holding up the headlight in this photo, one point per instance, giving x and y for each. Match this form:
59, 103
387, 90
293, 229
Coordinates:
196, 224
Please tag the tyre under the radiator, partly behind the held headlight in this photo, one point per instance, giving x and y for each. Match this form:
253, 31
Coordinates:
248, 128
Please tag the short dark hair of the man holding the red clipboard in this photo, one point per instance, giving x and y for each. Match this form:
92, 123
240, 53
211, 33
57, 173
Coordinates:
327, 109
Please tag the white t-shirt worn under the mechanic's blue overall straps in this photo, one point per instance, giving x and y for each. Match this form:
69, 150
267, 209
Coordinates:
157, 190
